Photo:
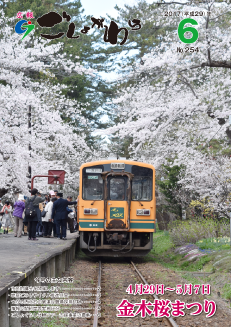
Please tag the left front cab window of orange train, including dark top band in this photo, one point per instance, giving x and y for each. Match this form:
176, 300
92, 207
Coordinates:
92, 183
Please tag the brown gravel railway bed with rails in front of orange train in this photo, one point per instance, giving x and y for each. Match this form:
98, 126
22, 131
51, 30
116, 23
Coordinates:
112, 278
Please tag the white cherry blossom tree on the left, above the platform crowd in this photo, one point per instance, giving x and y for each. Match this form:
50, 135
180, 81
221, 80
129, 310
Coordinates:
27, 79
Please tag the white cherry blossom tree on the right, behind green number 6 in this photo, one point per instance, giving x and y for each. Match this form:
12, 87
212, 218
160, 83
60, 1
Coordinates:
177, 100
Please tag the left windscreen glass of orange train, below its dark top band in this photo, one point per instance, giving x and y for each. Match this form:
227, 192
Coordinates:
92, 187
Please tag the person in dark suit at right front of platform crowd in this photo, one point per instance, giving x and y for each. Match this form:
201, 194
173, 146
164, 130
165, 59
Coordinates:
59, 214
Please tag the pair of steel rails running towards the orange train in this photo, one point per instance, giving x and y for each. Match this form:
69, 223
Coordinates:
168, 321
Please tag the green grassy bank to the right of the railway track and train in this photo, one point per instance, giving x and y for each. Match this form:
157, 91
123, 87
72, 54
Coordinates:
217, 262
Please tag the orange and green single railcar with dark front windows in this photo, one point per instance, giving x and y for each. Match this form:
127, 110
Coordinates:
116, 208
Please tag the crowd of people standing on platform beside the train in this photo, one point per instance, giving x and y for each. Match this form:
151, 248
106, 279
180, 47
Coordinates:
40, 215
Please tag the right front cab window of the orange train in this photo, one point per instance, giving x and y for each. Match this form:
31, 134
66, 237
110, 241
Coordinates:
142, 184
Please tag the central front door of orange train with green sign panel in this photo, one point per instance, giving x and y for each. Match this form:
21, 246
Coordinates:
117, 203
